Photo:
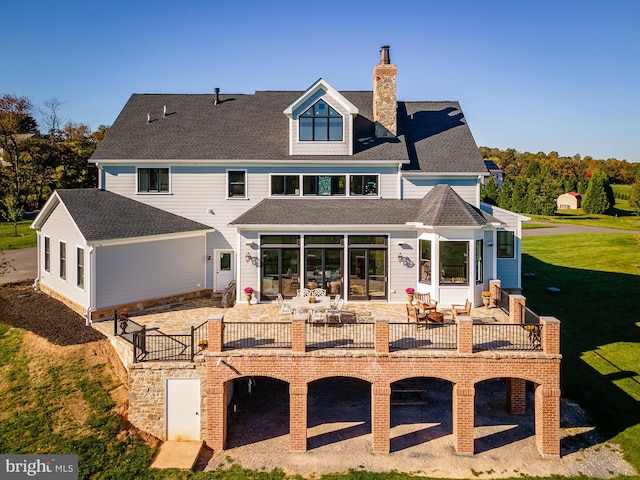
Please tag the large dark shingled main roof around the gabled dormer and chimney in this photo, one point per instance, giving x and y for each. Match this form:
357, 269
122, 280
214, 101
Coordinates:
433, 136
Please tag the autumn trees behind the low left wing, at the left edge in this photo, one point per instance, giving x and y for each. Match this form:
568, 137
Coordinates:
37, 159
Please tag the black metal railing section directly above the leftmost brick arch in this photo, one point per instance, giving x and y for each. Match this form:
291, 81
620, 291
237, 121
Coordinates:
256, 335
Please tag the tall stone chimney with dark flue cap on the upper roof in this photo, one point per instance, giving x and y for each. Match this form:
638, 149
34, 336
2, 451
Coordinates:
385, 106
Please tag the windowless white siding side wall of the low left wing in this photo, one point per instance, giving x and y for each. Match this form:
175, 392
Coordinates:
141, 271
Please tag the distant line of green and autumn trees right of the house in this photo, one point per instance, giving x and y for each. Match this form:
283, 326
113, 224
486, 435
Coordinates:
533, 181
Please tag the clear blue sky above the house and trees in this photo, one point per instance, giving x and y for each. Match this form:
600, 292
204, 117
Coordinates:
531, 75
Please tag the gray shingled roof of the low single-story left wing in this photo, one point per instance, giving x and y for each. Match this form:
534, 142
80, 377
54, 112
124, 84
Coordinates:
102, 215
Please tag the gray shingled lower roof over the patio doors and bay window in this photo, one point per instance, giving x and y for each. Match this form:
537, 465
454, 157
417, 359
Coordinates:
441, 207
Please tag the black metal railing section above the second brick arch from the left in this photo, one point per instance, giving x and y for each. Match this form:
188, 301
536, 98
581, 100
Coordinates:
322, 335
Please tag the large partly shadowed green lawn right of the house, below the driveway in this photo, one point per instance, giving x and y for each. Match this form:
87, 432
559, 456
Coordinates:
599, 278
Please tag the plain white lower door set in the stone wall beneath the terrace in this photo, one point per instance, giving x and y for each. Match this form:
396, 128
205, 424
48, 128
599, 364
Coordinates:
183, 409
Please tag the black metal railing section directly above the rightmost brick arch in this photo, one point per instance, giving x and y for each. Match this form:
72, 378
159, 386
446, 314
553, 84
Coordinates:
507, 336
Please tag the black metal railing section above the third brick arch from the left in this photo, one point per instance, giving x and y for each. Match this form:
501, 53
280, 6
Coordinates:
412, 336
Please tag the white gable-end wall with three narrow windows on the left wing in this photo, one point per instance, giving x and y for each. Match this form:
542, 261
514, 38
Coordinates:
60, 227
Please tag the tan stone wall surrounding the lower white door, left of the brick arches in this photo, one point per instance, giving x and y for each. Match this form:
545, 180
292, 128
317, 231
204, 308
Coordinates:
147, 400
